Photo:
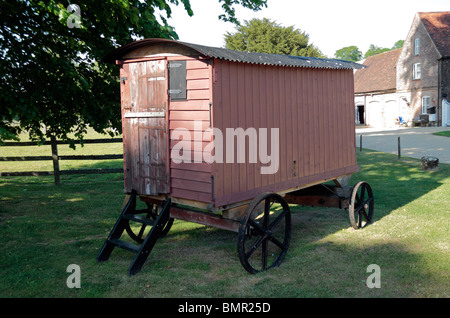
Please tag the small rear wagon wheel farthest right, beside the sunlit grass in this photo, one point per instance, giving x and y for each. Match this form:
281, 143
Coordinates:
361, 205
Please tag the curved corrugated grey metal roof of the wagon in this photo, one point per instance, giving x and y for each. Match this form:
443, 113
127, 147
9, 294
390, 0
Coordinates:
238, 56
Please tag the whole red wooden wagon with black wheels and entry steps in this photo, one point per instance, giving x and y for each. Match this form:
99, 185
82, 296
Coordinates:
228, 139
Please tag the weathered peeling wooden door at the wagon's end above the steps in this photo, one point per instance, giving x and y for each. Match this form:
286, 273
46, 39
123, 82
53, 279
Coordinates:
145, 127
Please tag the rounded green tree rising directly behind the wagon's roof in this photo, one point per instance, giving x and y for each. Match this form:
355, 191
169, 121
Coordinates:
266, 36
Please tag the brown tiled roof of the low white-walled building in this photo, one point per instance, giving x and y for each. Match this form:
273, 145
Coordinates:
380, 74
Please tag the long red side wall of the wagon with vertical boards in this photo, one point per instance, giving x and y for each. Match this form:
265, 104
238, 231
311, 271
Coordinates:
313, 109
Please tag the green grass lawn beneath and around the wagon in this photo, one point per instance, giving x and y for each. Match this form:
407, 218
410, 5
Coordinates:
44, 228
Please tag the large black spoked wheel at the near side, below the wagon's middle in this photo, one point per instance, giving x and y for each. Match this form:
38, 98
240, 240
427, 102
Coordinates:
264, 233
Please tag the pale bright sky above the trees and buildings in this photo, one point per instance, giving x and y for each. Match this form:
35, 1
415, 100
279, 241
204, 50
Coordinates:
331, 24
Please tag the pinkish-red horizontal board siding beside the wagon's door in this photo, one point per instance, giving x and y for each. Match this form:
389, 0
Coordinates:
192, 180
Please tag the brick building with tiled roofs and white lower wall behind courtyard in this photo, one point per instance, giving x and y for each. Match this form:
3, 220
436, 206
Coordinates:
412, 83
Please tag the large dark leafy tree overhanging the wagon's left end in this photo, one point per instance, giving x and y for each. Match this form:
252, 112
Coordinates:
53, 82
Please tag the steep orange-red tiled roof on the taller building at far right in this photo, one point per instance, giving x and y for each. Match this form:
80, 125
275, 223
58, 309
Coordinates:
438, 26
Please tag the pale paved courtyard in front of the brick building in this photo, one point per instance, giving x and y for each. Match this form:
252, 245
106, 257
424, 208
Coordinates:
415, 142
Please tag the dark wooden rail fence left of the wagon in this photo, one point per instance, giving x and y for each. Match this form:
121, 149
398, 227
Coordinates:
55, 158
